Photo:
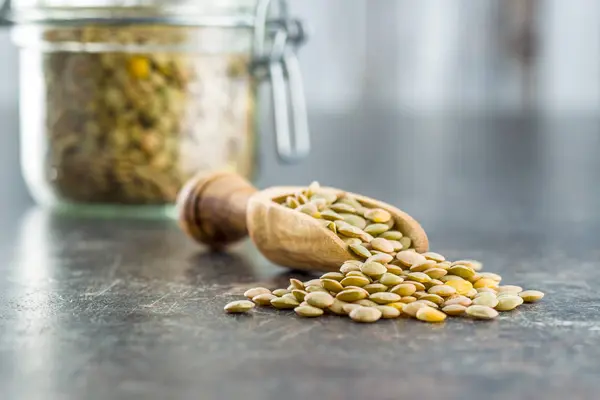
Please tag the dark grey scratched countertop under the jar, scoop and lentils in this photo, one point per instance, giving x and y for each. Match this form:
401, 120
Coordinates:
115, 309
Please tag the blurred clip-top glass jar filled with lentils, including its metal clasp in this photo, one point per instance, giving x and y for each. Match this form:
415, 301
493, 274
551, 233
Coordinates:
122, 104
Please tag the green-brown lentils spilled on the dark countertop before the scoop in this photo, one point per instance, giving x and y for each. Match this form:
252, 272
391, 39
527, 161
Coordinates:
423, 286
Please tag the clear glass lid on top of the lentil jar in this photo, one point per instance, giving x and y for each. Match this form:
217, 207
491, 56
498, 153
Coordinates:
176, 12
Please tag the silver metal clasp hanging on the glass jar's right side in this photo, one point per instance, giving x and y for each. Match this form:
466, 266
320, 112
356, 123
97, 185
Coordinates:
281, 65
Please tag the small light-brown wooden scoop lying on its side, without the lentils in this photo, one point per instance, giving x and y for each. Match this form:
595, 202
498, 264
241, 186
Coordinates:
223, 208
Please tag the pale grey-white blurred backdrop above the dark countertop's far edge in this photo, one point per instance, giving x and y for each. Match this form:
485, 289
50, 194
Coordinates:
430, 60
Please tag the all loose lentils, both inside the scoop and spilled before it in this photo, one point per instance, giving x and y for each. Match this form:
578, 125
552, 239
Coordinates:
392, 280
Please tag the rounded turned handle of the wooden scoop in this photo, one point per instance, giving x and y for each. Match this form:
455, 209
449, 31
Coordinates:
212, 208
